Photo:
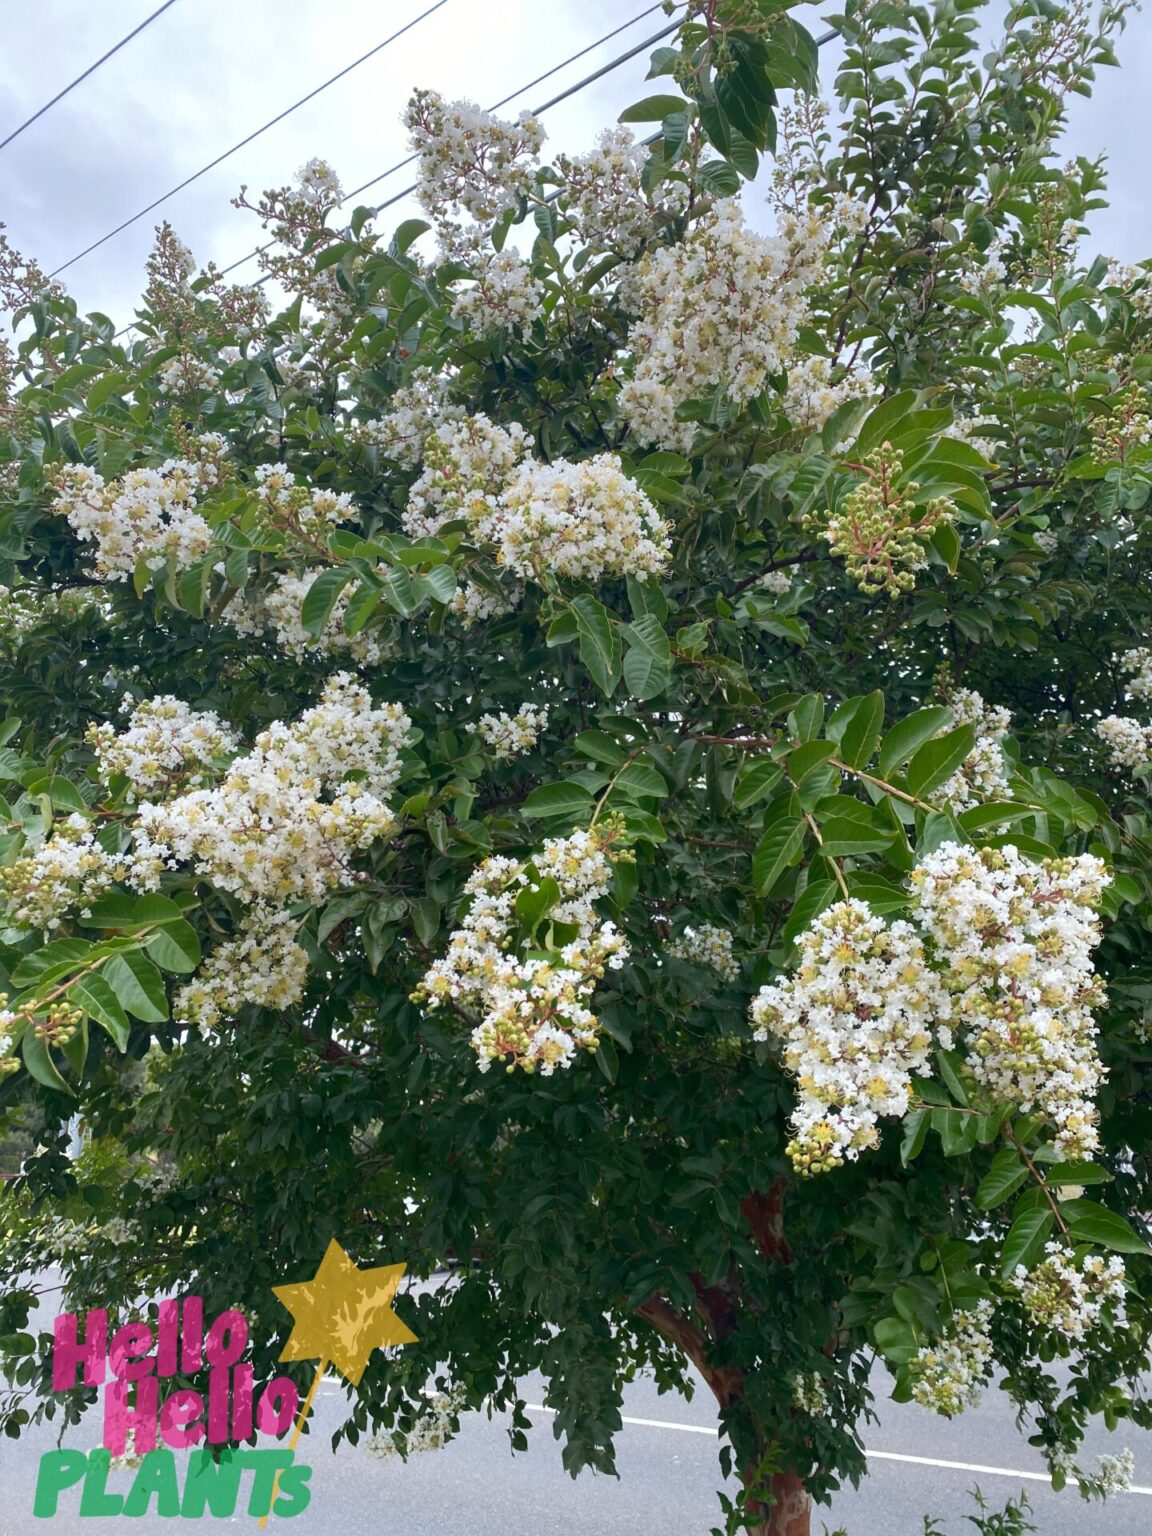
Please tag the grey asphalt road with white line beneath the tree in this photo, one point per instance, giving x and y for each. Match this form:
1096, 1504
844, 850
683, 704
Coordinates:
667, 1486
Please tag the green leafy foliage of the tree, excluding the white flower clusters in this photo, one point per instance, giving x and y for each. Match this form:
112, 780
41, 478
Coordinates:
760, 753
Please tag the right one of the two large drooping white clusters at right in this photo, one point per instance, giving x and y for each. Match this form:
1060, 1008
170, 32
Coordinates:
1015, 941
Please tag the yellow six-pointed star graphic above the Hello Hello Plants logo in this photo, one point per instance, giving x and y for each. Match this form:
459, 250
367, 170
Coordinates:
343, 1314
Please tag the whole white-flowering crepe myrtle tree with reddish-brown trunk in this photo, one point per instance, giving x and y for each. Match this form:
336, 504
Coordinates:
607, 750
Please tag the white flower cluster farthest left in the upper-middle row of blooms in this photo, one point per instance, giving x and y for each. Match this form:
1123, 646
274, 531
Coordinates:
147, 515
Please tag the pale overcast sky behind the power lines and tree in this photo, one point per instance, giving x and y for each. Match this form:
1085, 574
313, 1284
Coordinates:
211, 71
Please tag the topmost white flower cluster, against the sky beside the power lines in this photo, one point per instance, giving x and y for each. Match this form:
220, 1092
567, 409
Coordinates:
471, 164
